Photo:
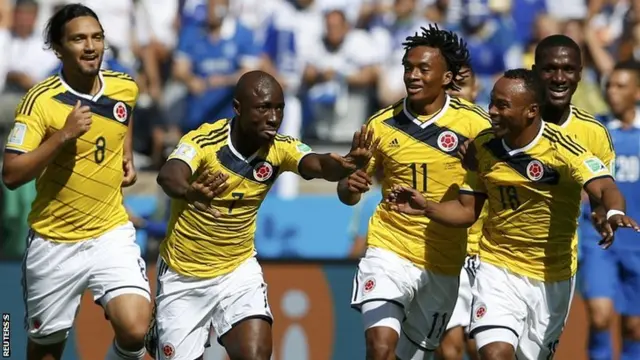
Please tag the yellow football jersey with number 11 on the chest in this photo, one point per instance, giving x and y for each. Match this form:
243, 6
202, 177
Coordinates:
421, 152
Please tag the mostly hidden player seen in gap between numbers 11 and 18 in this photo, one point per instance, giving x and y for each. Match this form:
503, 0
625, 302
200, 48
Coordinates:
452, 346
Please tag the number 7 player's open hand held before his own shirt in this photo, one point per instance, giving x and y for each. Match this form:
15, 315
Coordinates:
206, 187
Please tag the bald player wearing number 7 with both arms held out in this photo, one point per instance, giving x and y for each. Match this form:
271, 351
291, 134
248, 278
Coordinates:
208, 274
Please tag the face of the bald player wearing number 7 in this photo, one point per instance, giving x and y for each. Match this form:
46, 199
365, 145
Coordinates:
260, 111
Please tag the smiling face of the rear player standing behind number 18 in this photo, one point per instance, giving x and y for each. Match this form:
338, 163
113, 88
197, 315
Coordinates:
559, 68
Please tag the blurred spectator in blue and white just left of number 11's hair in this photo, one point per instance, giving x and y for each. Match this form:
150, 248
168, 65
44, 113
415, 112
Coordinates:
389, 32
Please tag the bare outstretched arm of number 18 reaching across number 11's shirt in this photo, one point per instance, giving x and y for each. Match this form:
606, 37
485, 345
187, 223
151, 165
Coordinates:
460, 213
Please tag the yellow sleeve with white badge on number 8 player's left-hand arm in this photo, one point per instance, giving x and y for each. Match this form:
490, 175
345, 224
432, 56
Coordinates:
29, 129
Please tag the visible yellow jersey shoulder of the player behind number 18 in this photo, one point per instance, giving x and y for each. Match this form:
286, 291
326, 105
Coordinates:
592, 134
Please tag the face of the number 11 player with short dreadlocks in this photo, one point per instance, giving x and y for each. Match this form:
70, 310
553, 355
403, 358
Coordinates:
425, 74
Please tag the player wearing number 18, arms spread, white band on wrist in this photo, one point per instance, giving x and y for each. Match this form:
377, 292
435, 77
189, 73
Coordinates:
531, 174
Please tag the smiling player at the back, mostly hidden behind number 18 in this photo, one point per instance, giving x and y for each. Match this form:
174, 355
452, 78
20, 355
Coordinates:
558, 63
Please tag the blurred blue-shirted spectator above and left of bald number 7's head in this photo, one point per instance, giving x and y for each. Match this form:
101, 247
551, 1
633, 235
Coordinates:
210, 60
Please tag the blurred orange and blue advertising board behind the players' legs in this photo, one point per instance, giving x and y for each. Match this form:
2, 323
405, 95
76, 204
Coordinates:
309, 300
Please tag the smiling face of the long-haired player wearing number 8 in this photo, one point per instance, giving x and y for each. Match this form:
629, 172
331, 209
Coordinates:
82, 46
